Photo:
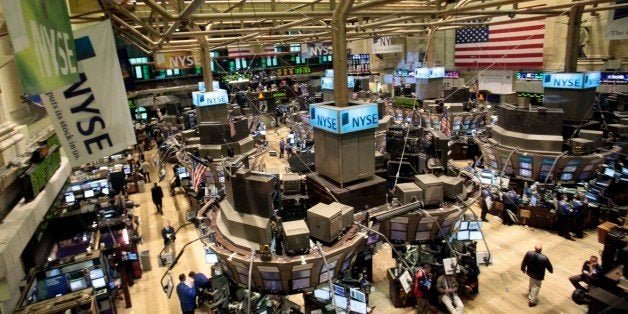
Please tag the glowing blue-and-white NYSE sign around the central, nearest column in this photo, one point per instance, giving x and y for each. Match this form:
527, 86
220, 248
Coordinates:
342, 120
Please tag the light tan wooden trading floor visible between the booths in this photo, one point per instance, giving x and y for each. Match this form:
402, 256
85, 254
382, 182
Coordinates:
503, 287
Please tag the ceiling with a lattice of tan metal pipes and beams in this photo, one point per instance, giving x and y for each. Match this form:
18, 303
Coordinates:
168, 25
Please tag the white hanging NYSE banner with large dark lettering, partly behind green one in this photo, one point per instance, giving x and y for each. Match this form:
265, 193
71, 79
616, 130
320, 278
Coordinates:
91, 117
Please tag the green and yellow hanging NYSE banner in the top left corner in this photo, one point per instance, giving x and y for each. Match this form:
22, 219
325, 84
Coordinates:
43, 44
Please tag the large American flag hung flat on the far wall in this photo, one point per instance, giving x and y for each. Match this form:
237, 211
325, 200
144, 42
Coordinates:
502, 45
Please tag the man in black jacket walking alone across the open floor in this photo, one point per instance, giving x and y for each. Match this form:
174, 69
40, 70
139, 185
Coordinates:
534, 265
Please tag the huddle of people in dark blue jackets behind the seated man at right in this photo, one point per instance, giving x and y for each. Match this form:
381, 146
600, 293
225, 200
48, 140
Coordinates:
571, 215
